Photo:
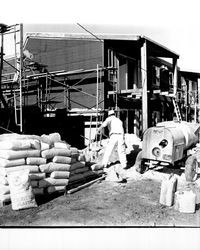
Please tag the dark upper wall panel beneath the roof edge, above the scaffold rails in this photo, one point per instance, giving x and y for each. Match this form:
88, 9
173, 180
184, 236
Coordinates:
66, 54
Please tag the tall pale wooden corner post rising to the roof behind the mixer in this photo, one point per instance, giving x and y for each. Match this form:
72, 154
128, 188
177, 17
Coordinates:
144, 87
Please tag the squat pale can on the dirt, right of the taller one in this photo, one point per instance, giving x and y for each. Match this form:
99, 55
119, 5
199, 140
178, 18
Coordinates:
185, 201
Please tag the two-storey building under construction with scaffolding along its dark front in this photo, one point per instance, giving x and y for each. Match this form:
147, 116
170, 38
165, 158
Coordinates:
67, 82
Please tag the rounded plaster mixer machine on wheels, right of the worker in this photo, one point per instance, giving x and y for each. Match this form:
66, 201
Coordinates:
174, 144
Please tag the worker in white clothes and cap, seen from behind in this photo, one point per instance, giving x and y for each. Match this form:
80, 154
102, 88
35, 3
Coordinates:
116, 134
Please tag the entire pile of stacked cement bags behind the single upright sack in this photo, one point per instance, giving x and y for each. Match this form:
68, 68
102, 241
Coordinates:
53, 164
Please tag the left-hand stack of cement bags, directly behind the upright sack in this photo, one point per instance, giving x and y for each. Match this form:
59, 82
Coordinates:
18, 152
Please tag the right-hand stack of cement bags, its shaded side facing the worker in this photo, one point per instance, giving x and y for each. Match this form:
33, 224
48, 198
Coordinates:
63, 168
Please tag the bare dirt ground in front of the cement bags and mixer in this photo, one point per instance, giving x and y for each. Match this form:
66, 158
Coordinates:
105, 203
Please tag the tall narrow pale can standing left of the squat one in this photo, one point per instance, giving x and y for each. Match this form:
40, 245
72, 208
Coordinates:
168, 189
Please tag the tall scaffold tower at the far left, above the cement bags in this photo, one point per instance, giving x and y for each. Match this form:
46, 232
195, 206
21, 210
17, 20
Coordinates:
13, 94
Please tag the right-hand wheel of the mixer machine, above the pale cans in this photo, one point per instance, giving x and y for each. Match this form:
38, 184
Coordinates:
191, 168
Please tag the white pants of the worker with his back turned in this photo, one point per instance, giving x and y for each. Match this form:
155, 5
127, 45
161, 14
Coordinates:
119, 140
